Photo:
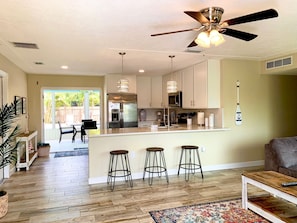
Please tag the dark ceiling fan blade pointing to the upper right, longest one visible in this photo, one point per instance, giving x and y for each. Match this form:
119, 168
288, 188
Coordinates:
266, 14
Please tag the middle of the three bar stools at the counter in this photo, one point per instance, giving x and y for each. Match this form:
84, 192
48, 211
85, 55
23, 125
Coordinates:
154, 163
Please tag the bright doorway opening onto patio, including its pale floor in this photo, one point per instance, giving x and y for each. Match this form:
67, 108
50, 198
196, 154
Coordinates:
68, 107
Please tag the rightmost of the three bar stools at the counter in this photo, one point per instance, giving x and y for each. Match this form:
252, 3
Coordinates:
191, 160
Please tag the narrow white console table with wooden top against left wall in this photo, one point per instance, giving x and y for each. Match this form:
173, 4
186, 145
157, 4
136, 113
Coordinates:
26, 156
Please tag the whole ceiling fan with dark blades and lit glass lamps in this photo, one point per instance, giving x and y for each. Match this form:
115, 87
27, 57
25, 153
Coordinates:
211, 26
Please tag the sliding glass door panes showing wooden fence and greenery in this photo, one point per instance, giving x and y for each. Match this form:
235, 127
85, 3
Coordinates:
69, 107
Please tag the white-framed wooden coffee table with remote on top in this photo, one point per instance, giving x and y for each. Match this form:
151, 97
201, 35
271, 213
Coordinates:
270, 182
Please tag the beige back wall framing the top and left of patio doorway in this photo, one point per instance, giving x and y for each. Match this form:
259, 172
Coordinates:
37, 82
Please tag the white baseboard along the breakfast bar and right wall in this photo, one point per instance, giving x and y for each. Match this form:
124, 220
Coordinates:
98, 180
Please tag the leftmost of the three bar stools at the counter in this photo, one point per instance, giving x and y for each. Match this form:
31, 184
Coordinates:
119, 166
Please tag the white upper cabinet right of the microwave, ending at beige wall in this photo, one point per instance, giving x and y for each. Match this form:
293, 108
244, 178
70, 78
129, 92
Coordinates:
201, 85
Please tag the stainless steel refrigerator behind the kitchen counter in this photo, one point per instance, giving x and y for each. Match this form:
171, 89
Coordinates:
122, 110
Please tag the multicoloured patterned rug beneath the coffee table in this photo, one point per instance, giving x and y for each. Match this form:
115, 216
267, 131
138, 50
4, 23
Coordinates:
217, 212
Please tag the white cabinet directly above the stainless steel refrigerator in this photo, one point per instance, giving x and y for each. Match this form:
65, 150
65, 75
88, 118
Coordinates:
112, 82
